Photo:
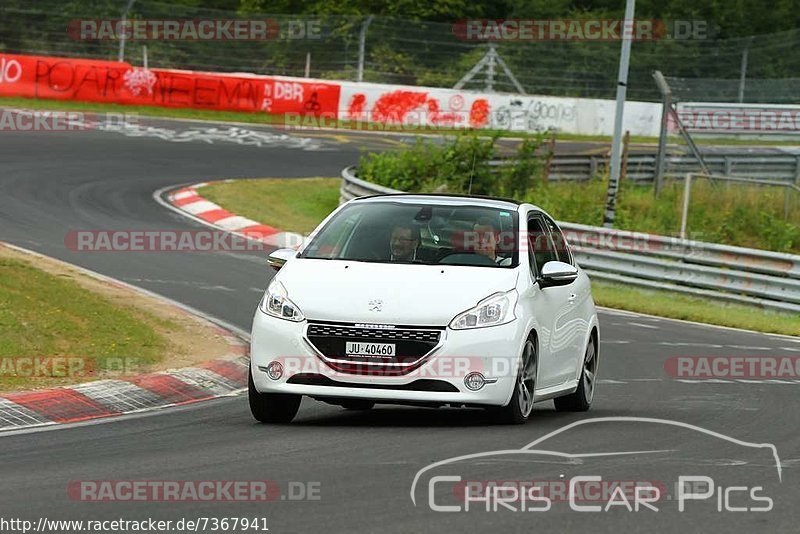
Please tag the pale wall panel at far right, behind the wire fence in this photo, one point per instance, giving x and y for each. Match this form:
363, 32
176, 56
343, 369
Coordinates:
752, 119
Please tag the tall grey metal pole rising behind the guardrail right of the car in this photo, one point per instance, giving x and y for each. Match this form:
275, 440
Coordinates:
622, 86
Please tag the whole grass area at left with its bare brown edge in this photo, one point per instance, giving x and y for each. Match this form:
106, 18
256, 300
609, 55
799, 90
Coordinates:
83, 328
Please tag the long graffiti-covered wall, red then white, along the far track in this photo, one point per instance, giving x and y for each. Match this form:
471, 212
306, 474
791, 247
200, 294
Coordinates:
317, 102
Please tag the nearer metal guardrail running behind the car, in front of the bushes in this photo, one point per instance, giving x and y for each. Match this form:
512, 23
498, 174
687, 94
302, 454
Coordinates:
735, 274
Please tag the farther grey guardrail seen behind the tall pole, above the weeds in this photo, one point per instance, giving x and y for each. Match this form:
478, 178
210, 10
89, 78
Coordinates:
642, 167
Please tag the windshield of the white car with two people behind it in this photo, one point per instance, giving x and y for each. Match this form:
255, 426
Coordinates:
419, 233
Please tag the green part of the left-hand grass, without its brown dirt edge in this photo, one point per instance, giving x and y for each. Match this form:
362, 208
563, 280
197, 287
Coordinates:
46, 315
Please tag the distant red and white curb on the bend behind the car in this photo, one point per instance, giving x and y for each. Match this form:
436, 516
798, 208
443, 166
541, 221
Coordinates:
187, 201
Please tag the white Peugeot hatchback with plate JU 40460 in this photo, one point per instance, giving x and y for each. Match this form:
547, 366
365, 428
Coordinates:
426, 300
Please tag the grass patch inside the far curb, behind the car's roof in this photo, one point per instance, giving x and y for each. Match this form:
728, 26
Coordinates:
293, 204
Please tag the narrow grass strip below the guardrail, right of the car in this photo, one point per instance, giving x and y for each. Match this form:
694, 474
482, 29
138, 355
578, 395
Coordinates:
679, 306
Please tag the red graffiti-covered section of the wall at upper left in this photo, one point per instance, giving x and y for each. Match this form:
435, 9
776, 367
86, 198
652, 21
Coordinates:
115, 82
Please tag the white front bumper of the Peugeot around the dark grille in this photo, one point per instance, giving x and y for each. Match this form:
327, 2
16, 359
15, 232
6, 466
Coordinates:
493, 352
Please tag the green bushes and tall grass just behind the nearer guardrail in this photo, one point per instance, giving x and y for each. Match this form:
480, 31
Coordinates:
734, 214
